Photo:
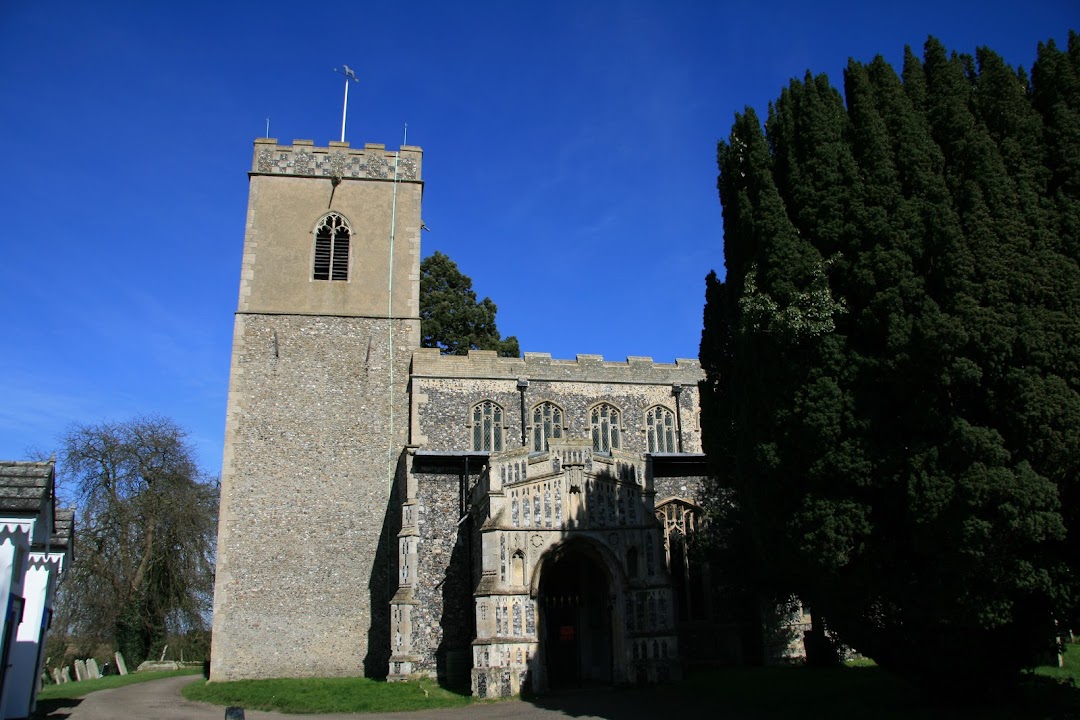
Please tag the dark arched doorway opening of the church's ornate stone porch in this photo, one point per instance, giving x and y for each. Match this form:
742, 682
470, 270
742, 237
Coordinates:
575, 601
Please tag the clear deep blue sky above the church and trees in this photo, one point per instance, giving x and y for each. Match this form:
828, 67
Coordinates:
570, 166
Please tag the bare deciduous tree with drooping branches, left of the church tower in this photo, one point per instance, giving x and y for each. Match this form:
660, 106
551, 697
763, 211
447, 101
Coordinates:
145, 535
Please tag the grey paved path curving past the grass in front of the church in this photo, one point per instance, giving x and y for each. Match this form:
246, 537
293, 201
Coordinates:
160, 700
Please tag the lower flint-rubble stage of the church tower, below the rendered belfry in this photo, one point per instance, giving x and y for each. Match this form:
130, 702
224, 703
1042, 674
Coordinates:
305, 490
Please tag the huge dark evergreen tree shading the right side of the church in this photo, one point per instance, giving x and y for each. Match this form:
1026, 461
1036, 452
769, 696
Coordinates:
893, 378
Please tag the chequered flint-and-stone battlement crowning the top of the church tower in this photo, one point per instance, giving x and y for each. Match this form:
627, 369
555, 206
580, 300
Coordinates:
305, 160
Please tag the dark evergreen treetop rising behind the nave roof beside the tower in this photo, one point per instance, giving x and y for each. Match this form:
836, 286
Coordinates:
451, 317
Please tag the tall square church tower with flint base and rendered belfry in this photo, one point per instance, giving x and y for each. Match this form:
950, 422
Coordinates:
318, 411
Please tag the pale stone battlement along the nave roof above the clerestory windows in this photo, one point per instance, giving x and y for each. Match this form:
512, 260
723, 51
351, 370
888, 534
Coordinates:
487, 364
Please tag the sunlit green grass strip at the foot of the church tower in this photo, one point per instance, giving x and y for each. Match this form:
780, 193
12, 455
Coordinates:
327, 696
